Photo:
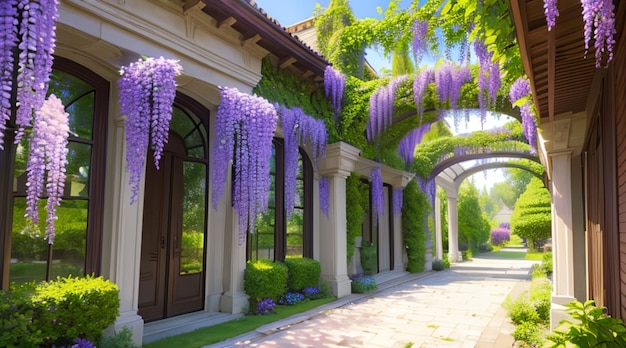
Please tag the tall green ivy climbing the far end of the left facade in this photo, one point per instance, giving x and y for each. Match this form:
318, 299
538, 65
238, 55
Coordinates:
415, 208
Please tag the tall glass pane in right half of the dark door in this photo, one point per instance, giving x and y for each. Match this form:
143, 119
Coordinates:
194, 214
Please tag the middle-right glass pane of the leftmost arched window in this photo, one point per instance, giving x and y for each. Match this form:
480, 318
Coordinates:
77, 179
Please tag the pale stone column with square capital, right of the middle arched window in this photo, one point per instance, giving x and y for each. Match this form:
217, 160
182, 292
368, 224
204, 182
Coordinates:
339, 162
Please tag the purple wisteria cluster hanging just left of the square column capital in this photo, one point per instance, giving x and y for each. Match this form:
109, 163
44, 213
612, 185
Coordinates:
298, 128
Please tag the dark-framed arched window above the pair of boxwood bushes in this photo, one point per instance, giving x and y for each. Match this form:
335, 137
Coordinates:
275, 237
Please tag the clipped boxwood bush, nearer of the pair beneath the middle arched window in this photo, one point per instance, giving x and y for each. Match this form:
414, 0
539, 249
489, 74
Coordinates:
264, 279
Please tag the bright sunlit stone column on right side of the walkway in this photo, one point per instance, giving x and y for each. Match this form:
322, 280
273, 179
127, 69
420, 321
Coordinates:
562, 236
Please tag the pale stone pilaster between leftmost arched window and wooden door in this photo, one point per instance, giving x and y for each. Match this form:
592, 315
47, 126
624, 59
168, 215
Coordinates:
121, 249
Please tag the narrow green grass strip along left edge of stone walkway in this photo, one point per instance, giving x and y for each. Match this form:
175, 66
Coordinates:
220, 332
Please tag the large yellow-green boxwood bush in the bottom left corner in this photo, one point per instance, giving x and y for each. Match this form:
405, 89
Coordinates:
55, 313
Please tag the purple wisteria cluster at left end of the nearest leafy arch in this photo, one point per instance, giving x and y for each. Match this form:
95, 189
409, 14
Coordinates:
381, 108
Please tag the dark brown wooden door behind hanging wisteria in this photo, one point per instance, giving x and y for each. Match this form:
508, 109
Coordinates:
164, 288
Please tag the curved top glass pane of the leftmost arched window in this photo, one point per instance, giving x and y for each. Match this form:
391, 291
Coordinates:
78, 97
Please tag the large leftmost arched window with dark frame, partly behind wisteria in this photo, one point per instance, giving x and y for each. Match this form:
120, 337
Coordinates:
76, 248
